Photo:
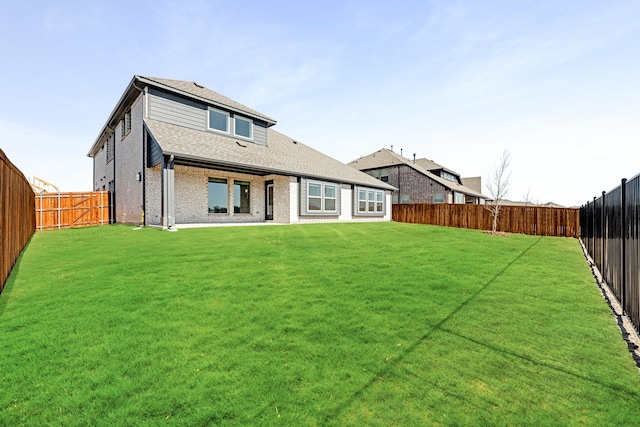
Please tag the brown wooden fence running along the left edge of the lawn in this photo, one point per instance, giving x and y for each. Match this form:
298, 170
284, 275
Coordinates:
17, 217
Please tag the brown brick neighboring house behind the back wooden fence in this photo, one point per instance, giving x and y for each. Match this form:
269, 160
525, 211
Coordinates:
420, 180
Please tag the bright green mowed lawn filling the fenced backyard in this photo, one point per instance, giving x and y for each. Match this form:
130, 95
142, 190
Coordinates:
328, 324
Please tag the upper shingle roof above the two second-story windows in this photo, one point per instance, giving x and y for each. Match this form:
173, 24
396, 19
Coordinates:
199, 91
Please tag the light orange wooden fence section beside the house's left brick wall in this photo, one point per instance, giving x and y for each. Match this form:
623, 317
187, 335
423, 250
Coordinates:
69, 210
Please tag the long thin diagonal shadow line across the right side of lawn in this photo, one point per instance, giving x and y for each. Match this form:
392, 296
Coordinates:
438, 327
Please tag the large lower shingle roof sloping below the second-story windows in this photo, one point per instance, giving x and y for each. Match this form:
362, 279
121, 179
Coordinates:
283, 155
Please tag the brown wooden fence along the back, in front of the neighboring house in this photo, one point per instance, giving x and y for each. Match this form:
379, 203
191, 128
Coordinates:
533, 220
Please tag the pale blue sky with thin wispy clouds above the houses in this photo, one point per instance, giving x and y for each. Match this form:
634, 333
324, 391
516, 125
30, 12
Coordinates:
556, 83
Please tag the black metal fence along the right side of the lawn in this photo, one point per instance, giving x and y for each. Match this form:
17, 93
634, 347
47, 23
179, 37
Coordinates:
610, 233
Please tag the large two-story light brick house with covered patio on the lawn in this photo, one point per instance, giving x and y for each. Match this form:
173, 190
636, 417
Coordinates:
174, 152
